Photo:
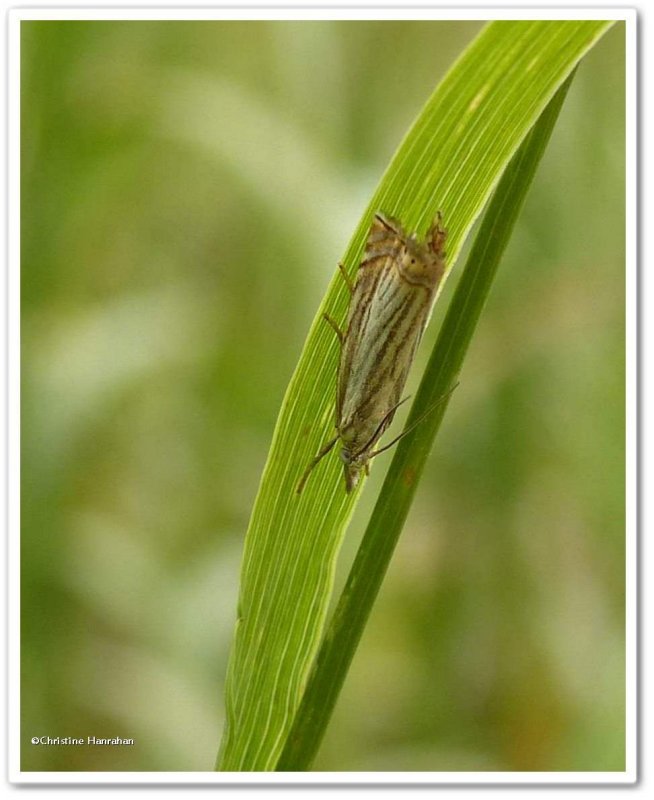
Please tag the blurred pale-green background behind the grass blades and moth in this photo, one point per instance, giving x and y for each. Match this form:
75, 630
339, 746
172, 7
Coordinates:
187, 189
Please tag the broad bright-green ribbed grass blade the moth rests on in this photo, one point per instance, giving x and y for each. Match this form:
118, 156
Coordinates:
451, 159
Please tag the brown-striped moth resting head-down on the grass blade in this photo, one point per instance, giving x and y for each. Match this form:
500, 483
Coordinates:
395, 286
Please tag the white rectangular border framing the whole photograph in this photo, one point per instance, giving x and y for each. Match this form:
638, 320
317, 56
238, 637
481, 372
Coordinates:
296, 12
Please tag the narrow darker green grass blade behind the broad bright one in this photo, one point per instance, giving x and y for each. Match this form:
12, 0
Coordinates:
385, 526
